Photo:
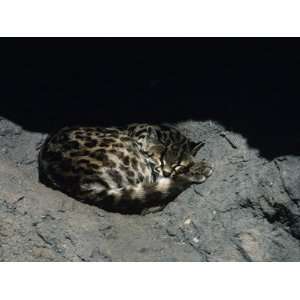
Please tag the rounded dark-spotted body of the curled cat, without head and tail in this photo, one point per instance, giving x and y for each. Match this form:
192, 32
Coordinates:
78, 155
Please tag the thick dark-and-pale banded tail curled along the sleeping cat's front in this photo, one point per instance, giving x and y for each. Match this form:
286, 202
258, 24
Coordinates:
147, 197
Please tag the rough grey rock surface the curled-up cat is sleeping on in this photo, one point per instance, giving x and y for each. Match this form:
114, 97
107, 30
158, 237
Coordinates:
248, 210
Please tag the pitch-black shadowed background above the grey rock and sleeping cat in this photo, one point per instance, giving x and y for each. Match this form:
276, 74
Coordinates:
250, 85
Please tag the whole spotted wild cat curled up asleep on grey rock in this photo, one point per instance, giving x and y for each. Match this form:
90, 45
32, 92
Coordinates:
137, 169
